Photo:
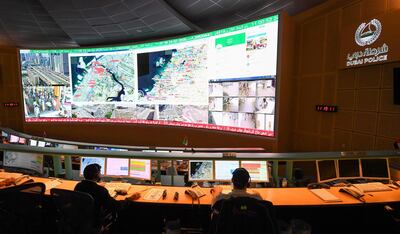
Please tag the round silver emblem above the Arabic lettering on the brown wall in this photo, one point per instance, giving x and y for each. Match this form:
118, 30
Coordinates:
368, 33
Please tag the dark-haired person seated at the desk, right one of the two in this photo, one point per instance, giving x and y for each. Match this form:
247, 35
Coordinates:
241, 181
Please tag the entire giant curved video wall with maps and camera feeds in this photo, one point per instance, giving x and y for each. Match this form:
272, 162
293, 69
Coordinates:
221, 80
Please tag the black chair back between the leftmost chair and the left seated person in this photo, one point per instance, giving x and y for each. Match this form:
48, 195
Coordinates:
75, 210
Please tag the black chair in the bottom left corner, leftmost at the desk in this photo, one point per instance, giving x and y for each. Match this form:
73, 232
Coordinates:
22, 209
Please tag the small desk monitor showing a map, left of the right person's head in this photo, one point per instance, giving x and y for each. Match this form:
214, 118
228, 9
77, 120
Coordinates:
201, 170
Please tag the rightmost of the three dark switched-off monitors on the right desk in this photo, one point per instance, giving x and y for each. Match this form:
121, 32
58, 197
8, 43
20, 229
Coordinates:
375, 168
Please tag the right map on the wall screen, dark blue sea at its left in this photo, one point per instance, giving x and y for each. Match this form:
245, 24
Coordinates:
174, 76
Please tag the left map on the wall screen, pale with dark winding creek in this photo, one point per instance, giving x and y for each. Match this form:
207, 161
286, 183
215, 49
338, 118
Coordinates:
103, 77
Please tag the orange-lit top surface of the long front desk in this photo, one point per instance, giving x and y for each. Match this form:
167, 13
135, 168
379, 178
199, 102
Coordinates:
278, 196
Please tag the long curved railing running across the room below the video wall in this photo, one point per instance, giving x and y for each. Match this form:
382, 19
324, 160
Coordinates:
176, 153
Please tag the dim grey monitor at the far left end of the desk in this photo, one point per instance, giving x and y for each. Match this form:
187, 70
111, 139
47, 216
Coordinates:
30, 161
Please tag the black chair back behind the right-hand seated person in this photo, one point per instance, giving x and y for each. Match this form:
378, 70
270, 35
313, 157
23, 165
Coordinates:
244, 215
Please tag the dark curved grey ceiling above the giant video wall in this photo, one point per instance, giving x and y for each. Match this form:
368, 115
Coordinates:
74, 23
